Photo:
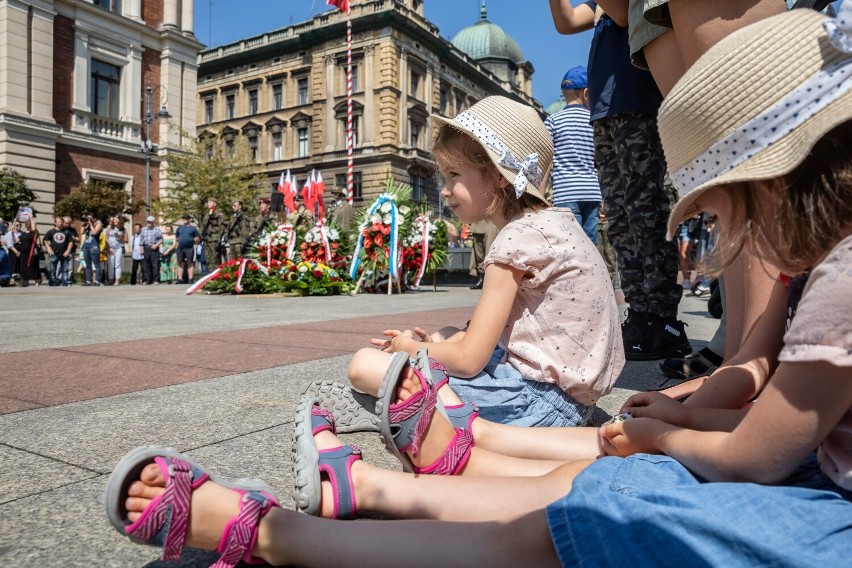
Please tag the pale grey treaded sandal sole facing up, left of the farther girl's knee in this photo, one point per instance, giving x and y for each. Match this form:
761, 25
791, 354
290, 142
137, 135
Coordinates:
353, 411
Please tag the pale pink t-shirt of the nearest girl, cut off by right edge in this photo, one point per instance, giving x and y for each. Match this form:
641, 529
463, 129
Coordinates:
822, 331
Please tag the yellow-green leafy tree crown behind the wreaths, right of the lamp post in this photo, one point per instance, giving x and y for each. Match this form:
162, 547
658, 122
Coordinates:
211, 169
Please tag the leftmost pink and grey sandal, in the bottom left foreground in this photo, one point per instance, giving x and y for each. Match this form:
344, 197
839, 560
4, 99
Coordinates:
166, 519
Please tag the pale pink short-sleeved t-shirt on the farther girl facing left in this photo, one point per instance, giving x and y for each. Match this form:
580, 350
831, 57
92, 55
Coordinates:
564, 326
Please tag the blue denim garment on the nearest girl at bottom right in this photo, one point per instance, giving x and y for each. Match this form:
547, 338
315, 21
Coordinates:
649, 510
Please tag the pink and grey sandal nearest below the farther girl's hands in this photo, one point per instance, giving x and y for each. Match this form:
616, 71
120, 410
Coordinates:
403, 424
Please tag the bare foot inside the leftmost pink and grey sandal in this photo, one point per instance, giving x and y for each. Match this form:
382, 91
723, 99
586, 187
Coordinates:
211, 506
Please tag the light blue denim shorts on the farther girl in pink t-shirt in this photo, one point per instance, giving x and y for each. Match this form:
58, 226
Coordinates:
504, 396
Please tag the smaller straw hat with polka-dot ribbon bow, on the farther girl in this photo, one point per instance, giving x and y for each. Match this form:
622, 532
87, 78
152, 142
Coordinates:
515, 139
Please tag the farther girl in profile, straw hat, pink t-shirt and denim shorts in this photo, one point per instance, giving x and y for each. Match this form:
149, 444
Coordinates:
547, 301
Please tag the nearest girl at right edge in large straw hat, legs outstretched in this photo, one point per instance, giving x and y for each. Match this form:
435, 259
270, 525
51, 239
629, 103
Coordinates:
772, 164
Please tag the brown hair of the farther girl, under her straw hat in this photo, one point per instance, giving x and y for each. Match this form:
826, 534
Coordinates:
455, 148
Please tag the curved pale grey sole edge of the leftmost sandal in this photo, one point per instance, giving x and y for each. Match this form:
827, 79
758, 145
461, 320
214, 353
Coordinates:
128, 469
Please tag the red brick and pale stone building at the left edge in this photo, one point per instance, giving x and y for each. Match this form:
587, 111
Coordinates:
73, 81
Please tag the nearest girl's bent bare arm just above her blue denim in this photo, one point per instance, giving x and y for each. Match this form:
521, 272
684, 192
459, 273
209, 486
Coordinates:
799, 407
